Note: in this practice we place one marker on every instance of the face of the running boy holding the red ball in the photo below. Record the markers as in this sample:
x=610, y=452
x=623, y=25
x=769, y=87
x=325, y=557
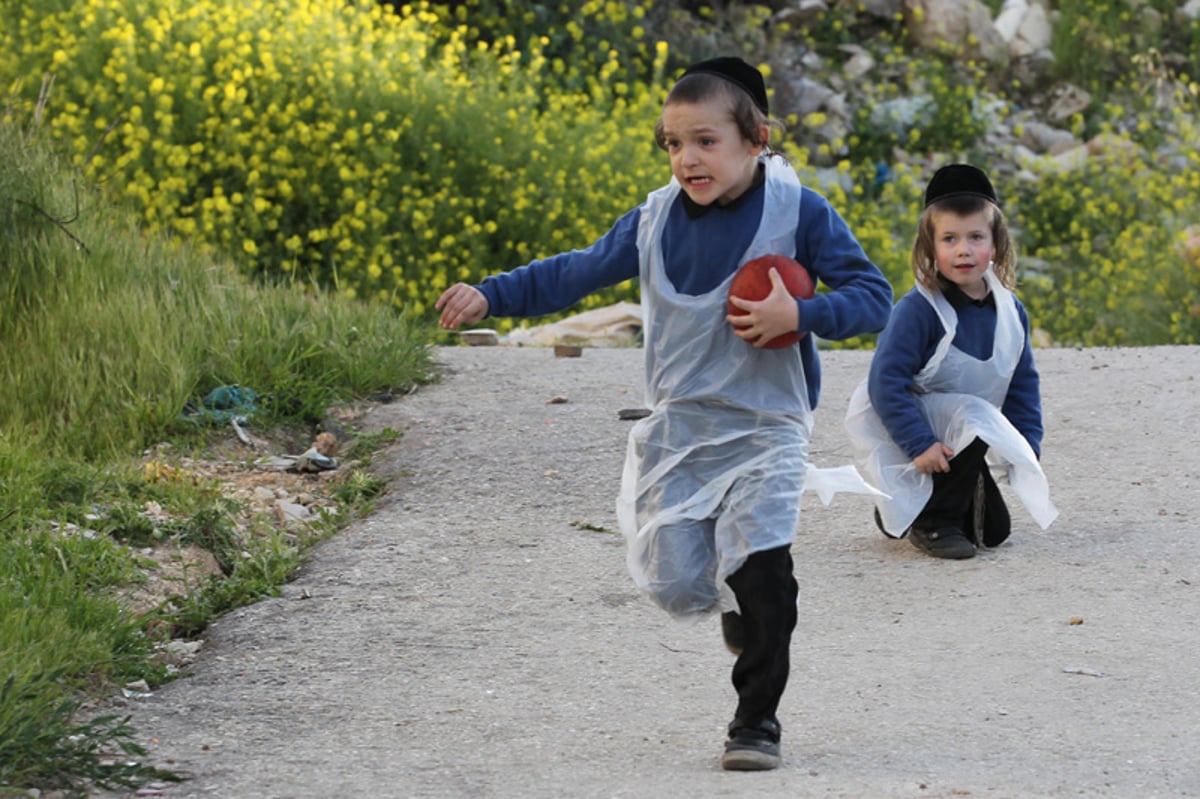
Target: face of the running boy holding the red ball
x=710, y=158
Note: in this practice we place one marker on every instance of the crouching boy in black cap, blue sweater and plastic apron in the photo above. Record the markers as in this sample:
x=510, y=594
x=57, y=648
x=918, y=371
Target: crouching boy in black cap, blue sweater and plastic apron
x=953, y=385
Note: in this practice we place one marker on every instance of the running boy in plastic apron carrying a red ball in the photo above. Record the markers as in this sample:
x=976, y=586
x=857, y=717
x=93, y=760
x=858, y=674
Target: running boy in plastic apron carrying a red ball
x=711, y=495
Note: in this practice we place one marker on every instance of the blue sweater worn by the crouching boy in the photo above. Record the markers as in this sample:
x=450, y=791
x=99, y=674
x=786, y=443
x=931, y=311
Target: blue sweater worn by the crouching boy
x=909, y=343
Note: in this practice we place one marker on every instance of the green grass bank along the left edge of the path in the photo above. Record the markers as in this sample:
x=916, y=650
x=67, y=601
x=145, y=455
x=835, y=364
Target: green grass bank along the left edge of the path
x=107, y=334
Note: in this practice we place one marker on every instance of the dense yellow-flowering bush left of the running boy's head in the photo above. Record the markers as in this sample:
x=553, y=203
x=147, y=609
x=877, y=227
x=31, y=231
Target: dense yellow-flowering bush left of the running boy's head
x=343, y=143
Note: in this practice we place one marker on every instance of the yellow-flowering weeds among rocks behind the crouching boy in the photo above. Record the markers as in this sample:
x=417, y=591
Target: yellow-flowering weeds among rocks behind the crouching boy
x=1106, y=249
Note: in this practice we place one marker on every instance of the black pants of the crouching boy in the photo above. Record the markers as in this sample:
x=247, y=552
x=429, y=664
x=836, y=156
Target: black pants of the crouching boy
x=953, y=502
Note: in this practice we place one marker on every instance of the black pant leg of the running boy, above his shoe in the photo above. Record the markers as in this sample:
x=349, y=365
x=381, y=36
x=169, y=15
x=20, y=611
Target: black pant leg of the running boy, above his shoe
x=766, y=591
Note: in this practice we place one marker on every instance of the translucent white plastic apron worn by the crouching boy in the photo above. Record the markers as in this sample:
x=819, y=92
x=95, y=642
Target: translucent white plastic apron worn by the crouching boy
x=961, y=399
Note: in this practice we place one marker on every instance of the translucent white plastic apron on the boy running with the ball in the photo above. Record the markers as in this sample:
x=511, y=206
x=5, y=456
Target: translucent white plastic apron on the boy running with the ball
x=716, y=472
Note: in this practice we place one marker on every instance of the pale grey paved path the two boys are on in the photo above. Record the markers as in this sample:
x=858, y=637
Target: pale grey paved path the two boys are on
x=478, y=636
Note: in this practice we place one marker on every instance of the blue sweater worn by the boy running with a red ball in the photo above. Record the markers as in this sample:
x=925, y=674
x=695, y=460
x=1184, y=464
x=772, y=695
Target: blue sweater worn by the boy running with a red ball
x=701, y=248
